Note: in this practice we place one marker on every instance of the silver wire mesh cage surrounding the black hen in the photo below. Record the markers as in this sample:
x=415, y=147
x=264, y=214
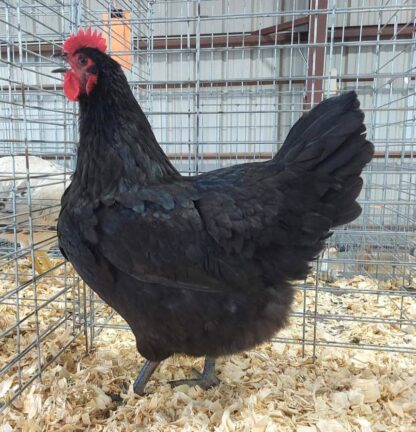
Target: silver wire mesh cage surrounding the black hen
x=221, y=82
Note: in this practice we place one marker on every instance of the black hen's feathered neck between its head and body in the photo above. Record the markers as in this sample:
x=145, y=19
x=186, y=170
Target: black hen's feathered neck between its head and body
x=117, y=149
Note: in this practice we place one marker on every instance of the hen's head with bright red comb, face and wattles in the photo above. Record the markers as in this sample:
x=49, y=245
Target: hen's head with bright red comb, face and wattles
x=82, y=74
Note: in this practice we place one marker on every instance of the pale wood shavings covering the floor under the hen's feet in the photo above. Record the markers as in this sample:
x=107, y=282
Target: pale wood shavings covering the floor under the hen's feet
x=272, y=388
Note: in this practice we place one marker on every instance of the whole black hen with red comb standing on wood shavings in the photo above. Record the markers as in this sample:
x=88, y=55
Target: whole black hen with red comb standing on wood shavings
x=198, y=265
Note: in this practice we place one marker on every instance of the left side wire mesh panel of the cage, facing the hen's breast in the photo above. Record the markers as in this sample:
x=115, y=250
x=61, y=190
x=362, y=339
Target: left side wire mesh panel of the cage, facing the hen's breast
x=41, y=307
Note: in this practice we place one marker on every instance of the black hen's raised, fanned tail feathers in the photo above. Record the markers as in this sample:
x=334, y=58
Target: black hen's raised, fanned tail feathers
x=330, y=140
